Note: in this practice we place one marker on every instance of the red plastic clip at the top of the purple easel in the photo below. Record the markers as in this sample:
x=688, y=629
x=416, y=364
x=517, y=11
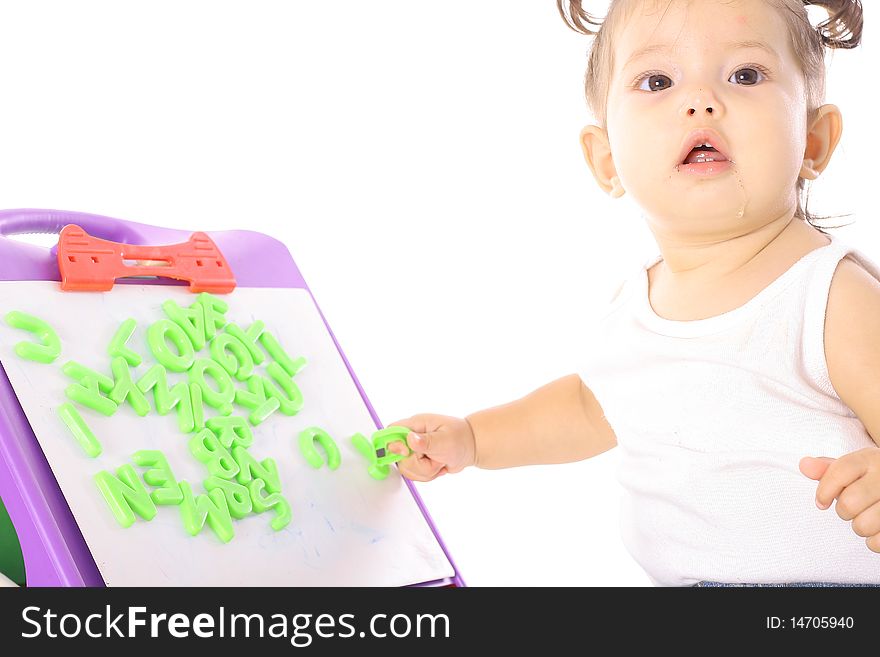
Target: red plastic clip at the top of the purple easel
x=90, y=263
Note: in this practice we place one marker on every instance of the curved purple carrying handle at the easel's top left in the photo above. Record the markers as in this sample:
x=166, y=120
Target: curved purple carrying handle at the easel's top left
x=13, y=222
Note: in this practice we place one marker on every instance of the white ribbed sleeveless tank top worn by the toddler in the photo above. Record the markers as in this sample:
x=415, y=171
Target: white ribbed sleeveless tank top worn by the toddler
x=712, y=417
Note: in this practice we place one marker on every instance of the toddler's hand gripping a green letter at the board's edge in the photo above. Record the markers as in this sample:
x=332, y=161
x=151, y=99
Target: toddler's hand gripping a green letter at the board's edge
x=441, y=444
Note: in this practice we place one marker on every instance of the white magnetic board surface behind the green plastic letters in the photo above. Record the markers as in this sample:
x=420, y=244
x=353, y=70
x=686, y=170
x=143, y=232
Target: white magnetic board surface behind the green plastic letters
x=347, y=528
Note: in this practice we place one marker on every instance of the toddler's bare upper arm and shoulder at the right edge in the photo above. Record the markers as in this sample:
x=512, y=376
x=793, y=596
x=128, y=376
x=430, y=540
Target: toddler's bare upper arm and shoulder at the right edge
x=852, y=324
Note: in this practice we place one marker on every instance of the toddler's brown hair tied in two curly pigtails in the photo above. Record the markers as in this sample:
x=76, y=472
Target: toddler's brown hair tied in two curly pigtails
x=842, y=29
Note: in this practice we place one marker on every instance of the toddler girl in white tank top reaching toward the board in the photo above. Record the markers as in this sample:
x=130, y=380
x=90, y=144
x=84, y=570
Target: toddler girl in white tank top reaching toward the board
x=739, y=370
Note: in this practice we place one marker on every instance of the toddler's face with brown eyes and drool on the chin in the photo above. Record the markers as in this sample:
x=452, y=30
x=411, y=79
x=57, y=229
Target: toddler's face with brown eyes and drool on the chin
x=757, y=106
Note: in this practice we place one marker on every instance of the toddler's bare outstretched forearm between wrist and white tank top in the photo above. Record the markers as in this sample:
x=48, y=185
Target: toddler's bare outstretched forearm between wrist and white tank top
x=560, y=422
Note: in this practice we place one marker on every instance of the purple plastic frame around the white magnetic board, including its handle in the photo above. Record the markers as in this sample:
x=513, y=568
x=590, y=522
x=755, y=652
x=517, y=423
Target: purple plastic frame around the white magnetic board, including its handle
x=54, y=551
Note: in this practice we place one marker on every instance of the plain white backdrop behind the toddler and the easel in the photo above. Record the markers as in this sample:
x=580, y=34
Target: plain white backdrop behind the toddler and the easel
x=421, y=162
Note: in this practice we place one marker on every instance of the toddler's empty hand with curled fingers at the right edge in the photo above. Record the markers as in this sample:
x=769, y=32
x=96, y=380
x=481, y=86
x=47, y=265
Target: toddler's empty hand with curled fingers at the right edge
x=854, y=479
